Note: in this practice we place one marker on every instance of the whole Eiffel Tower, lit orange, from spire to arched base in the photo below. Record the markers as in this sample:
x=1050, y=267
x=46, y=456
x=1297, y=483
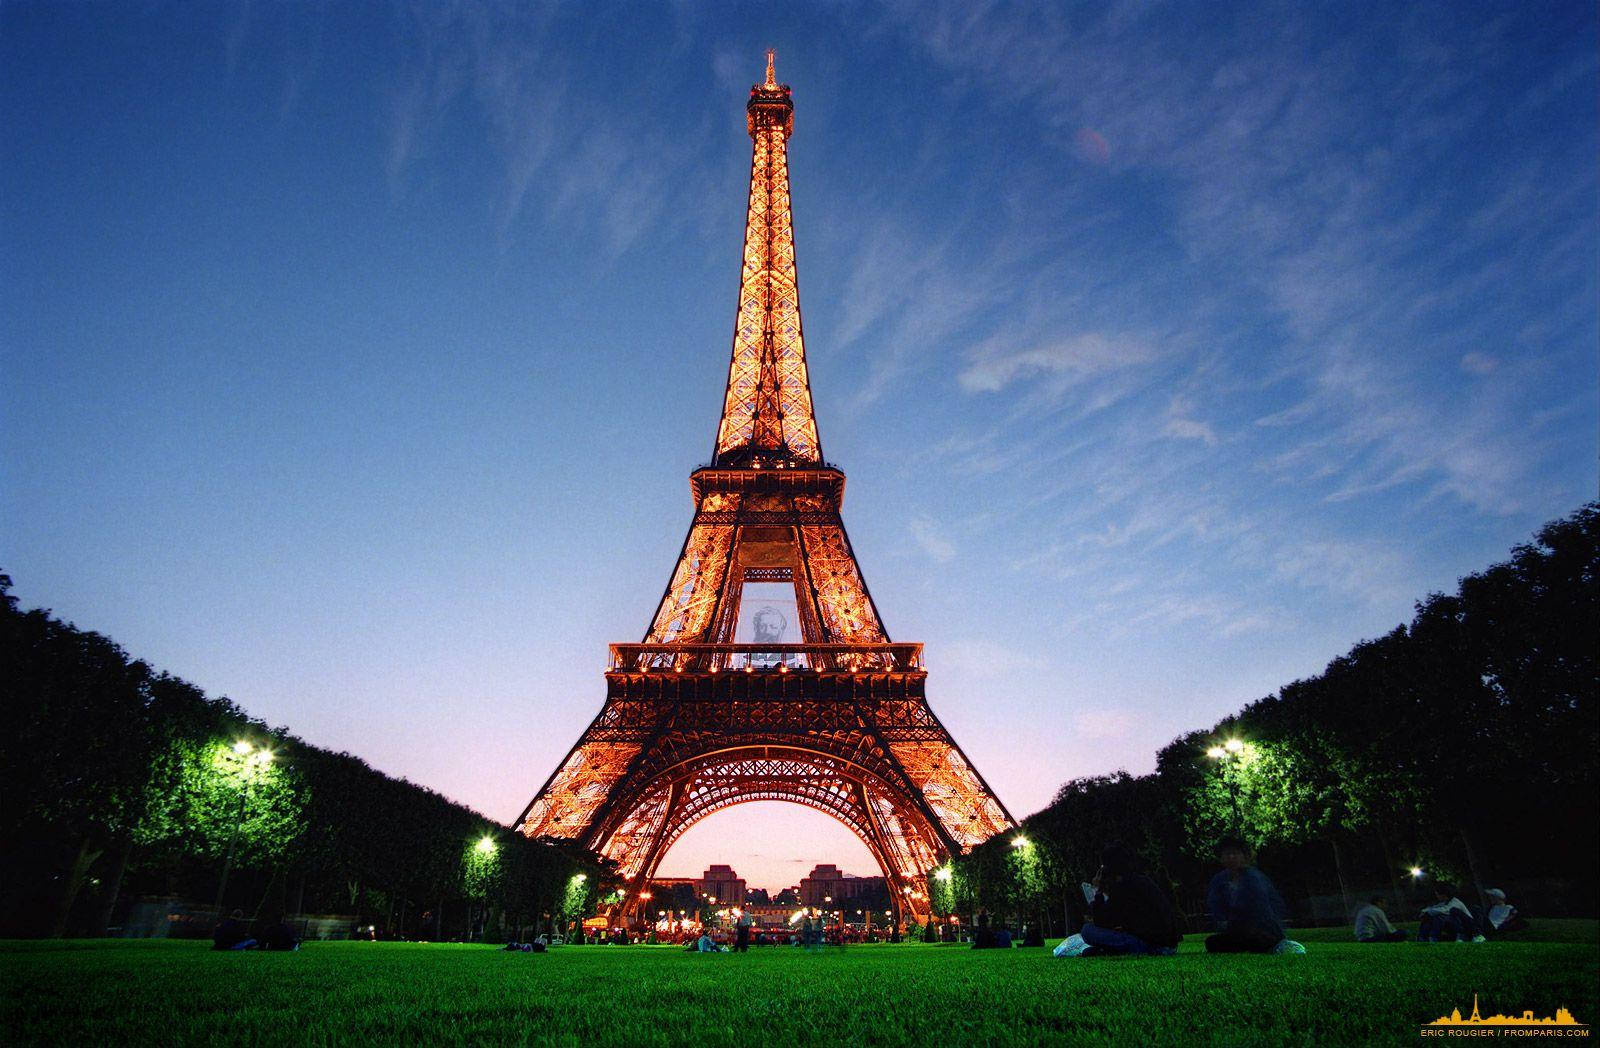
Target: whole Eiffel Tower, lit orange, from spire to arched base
x=839, y=722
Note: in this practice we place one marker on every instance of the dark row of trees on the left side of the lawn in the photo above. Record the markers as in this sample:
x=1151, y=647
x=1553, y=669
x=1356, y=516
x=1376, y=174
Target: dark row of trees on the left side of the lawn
x=121, y=782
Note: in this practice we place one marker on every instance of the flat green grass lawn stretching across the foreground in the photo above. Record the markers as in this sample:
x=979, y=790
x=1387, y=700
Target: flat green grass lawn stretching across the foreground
x=148, y=993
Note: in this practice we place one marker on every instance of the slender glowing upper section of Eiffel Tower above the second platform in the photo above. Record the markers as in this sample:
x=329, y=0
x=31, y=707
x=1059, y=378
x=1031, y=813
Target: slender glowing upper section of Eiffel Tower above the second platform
x=767, y=420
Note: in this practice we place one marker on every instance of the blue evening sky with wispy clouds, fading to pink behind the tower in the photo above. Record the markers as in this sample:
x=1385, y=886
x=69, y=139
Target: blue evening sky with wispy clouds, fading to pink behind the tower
x=356, y=356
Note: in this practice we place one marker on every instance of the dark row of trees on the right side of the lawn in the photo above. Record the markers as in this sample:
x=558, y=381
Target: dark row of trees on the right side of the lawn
x=1458, y=748
